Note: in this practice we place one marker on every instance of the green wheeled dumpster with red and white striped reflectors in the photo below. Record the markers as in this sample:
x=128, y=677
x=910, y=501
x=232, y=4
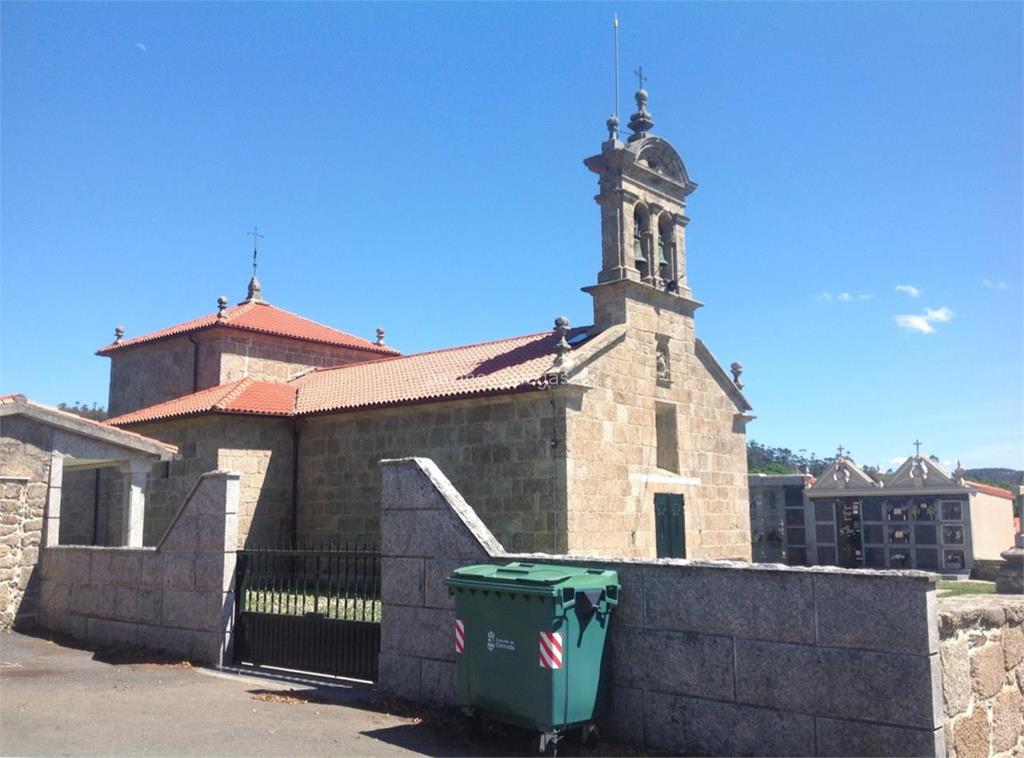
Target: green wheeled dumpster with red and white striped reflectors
x=530, y=643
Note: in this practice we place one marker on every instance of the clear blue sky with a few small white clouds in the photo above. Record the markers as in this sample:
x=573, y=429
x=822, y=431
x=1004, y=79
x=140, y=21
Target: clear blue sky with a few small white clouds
x=419, y=167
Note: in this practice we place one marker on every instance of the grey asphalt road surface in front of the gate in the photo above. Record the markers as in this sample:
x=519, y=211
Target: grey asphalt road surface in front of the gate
x=62, y=701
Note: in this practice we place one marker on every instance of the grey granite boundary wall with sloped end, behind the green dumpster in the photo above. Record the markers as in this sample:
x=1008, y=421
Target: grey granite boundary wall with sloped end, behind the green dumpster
x=715, y=658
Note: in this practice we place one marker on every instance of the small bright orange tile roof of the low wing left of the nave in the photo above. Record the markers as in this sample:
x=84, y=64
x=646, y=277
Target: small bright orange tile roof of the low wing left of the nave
x=245, y=396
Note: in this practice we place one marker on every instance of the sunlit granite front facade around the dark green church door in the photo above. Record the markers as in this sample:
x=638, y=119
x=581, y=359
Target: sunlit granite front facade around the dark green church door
x=616, y=462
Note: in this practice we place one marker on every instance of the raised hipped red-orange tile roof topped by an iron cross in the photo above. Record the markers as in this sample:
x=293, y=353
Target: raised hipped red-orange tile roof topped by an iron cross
x=259, y=317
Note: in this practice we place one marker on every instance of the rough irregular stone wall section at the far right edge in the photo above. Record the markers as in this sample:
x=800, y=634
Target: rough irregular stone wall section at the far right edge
x=983, y=651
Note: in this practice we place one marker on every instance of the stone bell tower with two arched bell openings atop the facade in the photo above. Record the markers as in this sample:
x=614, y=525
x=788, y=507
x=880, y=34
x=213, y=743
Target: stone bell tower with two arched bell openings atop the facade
x=644, y=190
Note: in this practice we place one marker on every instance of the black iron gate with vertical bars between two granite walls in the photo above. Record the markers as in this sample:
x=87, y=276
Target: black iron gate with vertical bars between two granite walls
x=310, y=610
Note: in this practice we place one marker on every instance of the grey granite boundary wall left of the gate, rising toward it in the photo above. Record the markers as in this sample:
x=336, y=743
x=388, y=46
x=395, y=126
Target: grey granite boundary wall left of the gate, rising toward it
x=177, y=599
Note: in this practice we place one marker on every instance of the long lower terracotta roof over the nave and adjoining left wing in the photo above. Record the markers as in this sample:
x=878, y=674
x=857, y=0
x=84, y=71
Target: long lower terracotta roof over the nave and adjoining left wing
x=502, y=366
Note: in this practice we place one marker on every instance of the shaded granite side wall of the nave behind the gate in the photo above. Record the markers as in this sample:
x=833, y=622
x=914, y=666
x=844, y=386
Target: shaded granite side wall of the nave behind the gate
x=499, y=452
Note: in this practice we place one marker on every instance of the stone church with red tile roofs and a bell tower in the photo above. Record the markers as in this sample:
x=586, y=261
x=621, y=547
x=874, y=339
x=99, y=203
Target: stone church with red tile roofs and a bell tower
x=625, y=438
